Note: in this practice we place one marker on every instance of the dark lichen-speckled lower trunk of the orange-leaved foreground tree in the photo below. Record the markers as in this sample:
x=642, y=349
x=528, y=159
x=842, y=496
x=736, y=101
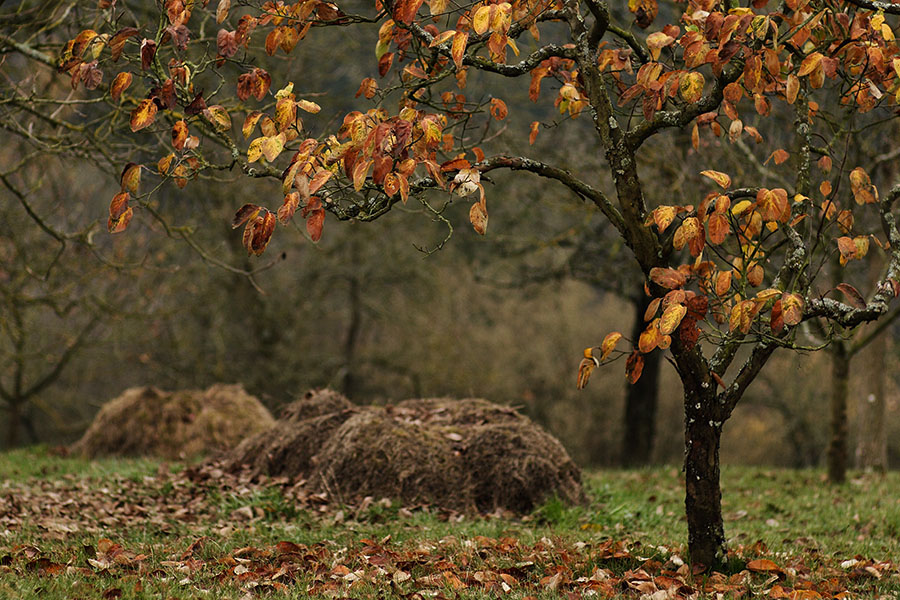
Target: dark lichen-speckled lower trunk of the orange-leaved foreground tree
x=703, y=497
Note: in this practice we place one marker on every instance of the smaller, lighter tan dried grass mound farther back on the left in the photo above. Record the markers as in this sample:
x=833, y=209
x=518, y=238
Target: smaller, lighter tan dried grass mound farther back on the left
x=145, y=421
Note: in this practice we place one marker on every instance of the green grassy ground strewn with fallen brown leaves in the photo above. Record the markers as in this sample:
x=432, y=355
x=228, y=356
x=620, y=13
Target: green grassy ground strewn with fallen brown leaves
x=141, y=529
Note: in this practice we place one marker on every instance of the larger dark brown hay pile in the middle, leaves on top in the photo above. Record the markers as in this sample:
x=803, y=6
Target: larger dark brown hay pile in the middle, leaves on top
x=459, y=454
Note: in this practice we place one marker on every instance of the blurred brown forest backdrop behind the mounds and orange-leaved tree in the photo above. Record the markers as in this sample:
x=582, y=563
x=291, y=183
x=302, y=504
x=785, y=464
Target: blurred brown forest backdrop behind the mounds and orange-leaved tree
x=382, y=311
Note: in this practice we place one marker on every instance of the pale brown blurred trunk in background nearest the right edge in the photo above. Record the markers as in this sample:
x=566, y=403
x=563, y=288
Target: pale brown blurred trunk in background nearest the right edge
x=871, y=449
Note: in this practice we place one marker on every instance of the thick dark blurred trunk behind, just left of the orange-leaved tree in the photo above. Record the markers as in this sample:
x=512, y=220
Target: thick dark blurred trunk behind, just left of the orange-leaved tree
x=641, y=400
